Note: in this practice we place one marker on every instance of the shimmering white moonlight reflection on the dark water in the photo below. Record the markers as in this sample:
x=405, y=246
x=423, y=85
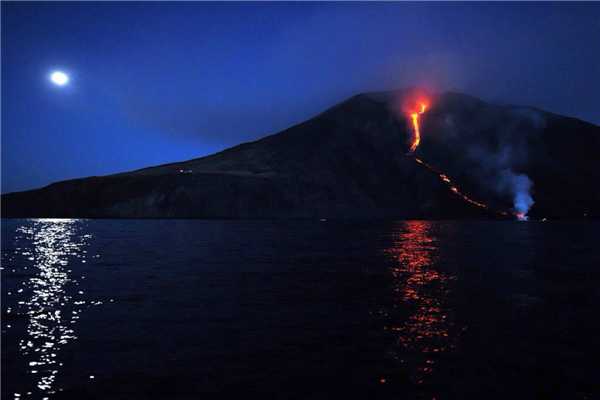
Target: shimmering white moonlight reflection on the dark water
x=48, y=296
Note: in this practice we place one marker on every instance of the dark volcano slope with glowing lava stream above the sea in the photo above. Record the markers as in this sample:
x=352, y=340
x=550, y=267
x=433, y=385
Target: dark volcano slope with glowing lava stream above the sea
x=358, y=159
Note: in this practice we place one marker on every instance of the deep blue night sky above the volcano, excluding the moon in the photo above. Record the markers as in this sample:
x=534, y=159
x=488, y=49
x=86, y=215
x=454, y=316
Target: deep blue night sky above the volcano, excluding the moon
x=160, y=82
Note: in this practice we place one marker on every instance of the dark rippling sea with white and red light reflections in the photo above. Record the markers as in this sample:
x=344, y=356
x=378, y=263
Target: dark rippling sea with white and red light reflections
x=150, y=309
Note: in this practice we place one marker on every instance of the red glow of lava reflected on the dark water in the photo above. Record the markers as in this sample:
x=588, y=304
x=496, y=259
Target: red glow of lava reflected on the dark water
x=421, y=291
